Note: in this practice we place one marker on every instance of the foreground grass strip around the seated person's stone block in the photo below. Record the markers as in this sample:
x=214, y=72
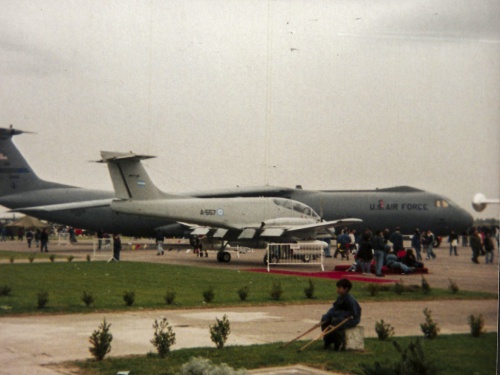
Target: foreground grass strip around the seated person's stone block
x=449, y=354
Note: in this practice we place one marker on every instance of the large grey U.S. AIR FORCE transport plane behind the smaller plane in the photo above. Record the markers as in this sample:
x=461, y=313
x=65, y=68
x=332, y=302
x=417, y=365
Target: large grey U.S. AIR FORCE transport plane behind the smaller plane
x=21, y=190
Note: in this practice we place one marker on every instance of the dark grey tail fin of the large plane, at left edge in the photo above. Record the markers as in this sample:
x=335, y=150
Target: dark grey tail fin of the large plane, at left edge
x=16, y=175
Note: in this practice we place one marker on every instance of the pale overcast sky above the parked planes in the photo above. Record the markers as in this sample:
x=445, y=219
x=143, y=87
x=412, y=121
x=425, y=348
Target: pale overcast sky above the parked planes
x=326, y=94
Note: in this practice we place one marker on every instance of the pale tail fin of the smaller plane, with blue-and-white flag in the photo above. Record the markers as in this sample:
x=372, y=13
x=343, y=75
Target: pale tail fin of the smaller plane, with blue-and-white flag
x=130, y=179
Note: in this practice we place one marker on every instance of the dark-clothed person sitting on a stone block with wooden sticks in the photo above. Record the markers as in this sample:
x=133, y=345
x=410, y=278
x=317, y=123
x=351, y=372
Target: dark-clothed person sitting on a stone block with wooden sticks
x=344, y=307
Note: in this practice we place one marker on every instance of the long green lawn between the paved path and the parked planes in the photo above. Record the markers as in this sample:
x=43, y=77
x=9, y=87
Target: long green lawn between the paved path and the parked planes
x=65, y=283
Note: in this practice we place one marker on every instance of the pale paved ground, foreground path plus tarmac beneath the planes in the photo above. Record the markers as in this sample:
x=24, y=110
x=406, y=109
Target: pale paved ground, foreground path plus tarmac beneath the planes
x=27, y=347
